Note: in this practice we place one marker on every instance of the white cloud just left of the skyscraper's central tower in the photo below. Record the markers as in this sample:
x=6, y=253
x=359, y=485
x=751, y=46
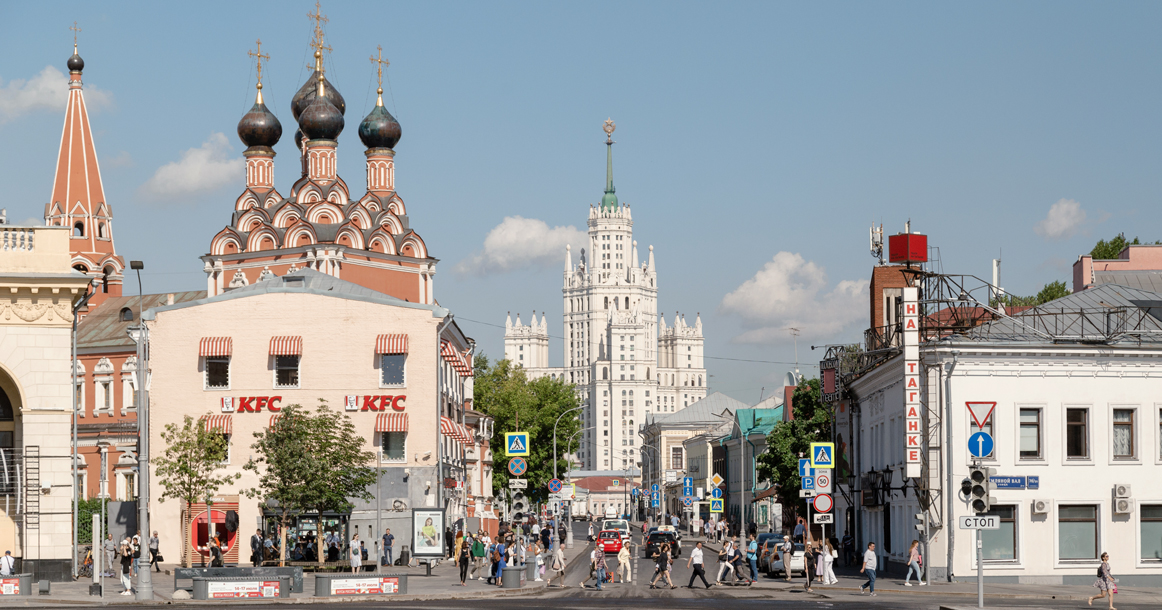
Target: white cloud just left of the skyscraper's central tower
x=519, y=242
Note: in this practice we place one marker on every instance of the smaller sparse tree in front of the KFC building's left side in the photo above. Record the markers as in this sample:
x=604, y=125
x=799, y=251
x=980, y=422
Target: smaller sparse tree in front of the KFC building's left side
x=189, y=471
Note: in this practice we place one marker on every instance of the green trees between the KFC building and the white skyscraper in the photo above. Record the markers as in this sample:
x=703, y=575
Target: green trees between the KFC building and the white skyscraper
x=505, y=393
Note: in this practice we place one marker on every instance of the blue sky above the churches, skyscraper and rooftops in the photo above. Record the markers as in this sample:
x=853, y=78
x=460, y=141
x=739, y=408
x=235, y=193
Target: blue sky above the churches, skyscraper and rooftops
x=757, y=142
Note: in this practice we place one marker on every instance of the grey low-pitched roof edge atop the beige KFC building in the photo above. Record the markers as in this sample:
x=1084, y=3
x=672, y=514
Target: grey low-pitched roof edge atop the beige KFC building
x=306, y=282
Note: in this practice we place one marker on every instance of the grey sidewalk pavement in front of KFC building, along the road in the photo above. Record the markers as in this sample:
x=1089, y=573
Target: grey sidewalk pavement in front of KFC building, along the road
x=444, y=584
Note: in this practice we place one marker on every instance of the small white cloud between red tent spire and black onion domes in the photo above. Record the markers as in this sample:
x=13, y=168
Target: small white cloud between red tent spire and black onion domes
x=207, y=168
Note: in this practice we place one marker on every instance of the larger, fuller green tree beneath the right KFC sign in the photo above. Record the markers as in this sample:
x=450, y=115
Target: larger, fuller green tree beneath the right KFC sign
x=311, y=463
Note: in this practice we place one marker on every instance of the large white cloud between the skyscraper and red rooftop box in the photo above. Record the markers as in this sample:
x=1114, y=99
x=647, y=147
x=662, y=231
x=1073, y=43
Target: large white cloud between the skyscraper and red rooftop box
x=790, y=292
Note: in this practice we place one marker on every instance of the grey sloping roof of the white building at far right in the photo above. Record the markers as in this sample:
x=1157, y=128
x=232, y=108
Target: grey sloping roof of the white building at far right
x=1106, y=314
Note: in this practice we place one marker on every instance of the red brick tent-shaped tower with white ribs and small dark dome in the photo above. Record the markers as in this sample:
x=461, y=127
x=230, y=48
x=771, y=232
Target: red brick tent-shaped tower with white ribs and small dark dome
x=78, y=196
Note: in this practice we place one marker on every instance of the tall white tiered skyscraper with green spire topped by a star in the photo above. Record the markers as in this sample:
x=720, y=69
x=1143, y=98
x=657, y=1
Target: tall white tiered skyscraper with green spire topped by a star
x=623, y=357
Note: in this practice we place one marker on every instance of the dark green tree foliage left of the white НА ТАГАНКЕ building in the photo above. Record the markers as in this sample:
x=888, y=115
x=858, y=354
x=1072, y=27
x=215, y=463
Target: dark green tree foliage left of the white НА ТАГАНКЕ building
x=792, y=441
